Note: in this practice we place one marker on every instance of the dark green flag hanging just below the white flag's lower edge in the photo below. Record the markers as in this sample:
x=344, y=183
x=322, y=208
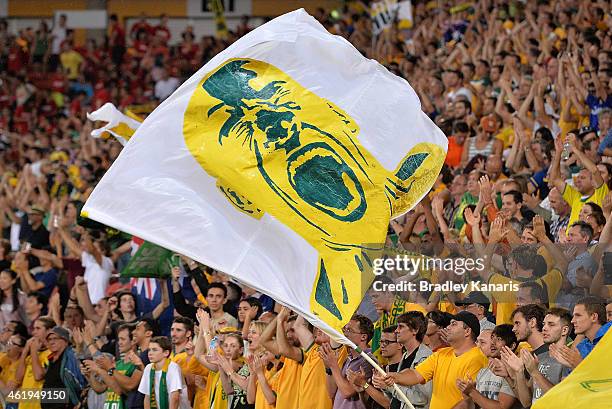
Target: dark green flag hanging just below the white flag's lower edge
x=151, y=261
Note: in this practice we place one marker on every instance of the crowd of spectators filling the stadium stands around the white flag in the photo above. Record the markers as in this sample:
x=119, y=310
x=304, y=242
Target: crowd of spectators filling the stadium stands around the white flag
x=523, y=91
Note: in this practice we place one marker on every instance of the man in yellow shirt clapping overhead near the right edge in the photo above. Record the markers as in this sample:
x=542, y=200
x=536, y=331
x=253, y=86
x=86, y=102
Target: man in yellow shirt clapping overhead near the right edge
x=590, y=186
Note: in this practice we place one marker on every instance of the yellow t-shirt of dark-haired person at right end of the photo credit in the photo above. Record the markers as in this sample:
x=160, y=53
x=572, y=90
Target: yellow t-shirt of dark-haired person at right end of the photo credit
x=506, y=300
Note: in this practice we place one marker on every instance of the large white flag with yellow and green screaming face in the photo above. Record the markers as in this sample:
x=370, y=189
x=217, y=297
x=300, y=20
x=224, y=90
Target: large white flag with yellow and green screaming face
x=280, y=163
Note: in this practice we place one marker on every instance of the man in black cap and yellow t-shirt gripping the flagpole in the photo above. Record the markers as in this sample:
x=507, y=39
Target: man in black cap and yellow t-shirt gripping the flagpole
x=461, y=360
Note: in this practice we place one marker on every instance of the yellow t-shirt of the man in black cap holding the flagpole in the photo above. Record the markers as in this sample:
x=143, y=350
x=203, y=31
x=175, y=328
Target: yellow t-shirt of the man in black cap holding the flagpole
x=444, y=368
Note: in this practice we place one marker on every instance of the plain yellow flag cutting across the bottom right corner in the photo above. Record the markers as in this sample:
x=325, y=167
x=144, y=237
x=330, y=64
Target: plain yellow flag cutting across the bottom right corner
x=589, y=386
